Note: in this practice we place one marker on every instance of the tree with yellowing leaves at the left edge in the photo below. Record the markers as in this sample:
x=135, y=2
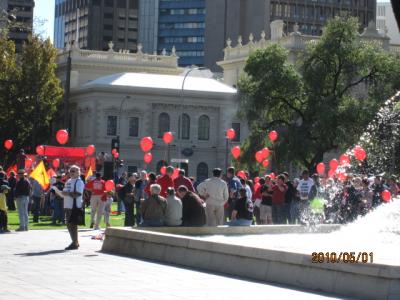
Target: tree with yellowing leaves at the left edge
x=29, y=92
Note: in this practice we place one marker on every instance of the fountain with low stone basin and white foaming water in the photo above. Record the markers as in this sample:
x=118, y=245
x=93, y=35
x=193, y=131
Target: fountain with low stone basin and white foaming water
x=283, y=254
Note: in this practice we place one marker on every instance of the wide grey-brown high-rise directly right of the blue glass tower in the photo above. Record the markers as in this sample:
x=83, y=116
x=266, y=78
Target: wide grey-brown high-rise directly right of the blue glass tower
x=233, y=18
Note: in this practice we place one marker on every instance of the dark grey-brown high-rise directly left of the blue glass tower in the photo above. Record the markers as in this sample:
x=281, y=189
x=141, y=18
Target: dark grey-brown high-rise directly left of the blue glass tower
x=94, y=23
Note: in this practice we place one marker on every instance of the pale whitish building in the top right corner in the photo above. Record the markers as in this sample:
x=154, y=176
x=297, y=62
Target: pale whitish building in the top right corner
x=386, y=21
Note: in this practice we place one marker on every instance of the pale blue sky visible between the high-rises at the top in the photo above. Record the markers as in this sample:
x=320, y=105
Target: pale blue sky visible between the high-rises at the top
x=44, y=10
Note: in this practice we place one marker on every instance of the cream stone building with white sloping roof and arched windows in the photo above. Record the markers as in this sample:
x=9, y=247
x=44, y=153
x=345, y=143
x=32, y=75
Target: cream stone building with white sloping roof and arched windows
x=133, y=95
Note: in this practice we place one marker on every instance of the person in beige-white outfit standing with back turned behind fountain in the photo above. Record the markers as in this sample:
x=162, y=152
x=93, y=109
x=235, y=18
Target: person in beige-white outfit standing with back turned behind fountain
x=215, y=192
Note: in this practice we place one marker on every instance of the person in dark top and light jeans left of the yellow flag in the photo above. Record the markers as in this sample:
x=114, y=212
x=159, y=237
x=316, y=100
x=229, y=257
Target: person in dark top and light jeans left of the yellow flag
x=22, y=193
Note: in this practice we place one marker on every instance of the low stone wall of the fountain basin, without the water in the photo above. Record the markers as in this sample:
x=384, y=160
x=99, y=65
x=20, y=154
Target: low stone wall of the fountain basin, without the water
x=180, y=246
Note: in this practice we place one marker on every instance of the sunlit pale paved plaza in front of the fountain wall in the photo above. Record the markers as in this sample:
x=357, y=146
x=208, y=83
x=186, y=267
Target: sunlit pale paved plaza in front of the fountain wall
x=33, y=265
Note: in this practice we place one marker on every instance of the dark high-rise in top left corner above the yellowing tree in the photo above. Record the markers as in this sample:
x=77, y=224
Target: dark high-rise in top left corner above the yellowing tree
x=22, y=10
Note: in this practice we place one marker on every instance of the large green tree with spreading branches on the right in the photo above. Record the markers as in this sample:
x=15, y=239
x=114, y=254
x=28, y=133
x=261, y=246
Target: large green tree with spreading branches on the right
x=343, y=82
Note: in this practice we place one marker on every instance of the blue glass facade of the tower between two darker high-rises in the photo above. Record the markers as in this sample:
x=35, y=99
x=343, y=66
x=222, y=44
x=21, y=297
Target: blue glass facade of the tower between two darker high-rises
x=181, y=24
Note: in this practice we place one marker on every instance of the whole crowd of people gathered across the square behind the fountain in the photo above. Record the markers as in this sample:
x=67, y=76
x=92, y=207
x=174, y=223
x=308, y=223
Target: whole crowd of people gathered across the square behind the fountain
x=165, y=200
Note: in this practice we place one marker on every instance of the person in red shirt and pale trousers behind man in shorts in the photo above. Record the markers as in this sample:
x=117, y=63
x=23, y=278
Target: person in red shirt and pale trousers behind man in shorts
x=97, y=205
